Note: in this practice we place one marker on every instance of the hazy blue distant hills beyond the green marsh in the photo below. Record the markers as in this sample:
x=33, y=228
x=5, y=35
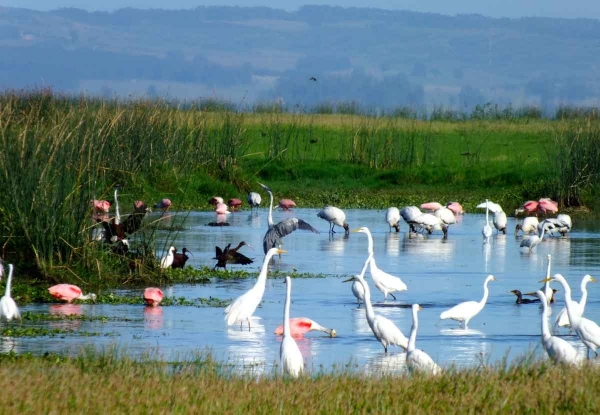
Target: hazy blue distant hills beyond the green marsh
x=378, y=58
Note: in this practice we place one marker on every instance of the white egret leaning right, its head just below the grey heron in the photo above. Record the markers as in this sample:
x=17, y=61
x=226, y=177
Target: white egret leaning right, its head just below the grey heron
x=244, y=306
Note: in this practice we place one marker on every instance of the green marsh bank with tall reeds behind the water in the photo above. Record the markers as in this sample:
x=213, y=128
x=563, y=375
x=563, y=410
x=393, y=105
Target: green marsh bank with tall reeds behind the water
x=59, y=153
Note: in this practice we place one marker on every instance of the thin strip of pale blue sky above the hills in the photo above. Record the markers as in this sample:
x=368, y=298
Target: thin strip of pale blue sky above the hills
x=494, y=8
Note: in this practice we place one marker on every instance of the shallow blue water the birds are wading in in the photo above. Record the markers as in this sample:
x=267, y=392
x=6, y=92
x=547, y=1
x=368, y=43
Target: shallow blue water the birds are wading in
x=439, y=274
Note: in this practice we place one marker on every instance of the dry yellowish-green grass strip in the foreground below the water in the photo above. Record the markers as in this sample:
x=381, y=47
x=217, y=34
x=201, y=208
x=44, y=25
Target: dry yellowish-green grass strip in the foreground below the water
x=108, y=383
